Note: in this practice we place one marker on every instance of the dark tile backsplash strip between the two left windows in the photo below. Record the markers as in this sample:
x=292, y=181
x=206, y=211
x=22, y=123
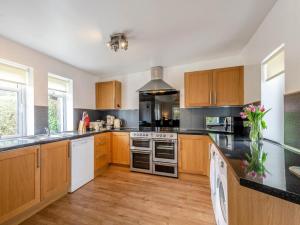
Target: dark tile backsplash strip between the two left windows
x=40, y=119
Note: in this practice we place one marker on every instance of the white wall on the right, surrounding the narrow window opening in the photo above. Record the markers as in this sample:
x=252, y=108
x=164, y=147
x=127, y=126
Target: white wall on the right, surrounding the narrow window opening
x=281, y=25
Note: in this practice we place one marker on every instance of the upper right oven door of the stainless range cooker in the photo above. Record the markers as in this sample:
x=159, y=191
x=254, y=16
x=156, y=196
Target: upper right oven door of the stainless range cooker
x=165, y=151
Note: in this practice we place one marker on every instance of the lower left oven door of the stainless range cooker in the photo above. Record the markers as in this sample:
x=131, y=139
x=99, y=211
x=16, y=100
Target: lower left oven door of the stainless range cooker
x=141, y=161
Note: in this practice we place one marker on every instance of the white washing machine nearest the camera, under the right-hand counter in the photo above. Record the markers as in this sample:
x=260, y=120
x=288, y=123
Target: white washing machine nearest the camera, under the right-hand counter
x=221, y=193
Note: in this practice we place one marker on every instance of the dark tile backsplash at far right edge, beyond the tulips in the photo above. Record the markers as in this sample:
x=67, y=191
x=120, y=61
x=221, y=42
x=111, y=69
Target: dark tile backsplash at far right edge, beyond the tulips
x=292, y=120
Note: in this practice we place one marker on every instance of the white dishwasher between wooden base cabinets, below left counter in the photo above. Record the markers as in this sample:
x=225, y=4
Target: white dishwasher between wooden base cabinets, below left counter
x=82, y=162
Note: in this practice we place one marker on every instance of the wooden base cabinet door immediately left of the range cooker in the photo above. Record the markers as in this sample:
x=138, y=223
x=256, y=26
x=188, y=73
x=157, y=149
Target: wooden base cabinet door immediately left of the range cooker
x=120, y=148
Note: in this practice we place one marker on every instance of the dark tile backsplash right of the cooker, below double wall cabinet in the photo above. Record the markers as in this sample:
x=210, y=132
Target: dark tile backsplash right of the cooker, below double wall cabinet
x=195, y=118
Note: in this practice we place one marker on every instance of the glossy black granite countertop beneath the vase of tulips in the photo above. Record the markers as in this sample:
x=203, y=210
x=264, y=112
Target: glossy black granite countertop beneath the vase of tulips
x=278, y=181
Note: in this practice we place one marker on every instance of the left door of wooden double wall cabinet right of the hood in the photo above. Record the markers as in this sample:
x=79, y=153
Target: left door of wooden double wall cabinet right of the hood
x=198, y=88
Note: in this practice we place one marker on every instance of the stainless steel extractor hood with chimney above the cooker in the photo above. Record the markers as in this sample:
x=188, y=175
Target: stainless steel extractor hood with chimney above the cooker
x=156, y=85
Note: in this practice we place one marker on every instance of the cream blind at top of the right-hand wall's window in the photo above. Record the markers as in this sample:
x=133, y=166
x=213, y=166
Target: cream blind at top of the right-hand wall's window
x=274, y=64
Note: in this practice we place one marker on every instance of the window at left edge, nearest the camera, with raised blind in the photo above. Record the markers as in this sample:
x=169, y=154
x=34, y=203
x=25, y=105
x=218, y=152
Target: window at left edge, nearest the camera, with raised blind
x=13, y=95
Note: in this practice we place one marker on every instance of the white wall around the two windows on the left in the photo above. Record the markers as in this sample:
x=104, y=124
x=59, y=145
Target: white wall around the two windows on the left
x=83, y=82
